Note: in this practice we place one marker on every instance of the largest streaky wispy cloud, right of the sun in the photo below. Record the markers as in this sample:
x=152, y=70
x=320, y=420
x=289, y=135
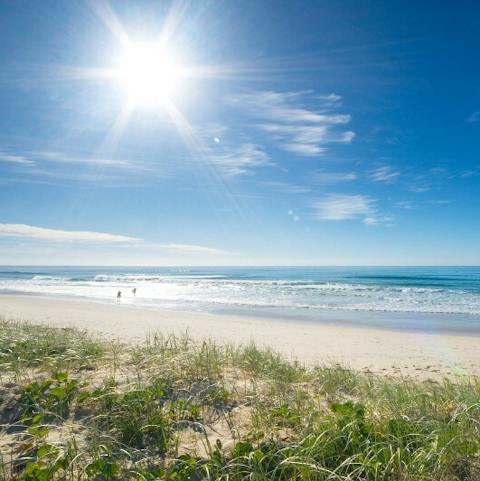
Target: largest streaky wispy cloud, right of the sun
x=291, y=125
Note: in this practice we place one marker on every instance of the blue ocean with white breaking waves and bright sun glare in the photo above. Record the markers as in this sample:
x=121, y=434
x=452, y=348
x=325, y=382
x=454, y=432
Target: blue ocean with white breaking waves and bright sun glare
x=438, y=298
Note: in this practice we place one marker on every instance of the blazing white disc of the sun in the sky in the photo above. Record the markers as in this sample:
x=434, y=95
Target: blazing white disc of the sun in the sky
x=148, y=73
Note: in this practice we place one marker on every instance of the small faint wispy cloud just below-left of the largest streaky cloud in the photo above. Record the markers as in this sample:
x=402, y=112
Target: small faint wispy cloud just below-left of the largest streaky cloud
x=238, y=160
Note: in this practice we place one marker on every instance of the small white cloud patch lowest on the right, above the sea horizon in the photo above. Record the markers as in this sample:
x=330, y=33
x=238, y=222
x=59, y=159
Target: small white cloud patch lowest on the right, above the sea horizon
x=345, y=207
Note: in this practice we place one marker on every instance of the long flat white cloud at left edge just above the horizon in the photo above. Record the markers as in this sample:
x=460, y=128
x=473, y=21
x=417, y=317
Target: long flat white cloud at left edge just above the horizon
x=42, y=233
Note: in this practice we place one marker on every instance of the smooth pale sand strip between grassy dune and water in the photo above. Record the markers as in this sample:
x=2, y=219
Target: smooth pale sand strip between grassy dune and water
x=417, y=354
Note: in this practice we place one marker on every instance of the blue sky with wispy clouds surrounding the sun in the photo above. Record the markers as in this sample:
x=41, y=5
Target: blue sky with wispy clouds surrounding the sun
x=318, y=133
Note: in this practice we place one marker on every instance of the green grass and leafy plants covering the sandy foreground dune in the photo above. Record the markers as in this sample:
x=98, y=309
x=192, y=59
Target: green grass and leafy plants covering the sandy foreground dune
x=76, y=408
